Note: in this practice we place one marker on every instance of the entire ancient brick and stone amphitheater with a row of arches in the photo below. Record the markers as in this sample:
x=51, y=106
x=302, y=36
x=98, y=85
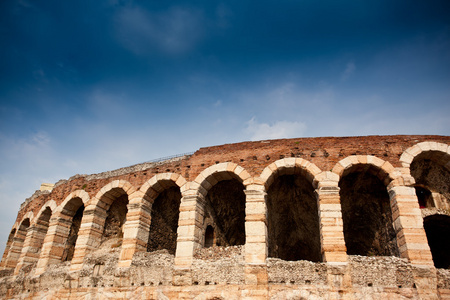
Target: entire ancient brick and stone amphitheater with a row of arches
x=304, y=218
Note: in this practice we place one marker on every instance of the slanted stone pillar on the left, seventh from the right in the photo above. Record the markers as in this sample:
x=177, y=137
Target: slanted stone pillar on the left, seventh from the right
x=54, y=242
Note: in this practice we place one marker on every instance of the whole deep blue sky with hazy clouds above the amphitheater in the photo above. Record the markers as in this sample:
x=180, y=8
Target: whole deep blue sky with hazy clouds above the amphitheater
x=90, y=86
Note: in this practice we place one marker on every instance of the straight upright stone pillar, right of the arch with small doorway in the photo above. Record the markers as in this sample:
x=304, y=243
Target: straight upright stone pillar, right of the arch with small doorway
x=256, y=244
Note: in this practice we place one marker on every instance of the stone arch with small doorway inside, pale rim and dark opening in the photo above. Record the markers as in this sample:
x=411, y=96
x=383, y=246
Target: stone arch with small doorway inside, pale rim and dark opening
x=220, y=189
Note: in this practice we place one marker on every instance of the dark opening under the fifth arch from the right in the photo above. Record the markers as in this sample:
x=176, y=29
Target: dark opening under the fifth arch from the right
x=164, y=220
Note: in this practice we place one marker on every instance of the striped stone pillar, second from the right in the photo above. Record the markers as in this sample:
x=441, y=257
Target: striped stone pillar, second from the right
x=331, y=225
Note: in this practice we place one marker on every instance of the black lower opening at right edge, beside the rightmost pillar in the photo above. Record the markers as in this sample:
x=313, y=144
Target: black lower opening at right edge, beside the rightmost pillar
x=437, y=228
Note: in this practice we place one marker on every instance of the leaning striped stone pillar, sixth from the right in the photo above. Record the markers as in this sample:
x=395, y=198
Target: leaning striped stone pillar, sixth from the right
x=89, y=235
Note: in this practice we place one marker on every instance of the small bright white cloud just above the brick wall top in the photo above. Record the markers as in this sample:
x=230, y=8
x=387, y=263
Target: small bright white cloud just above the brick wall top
x=276, y=130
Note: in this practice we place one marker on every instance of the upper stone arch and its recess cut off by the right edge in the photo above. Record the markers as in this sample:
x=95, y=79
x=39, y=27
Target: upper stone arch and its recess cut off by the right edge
x=429, y=164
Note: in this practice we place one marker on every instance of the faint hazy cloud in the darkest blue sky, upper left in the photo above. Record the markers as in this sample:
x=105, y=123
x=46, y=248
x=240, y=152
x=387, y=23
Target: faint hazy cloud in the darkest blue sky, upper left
x=173, y=31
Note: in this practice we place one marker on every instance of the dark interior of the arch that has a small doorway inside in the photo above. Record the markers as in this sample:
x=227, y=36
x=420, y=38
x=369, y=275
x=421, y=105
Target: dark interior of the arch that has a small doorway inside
x=225, y=207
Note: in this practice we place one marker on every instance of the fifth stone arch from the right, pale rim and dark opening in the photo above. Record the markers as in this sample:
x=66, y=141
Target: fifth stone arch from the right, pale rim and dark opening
x=163, y=193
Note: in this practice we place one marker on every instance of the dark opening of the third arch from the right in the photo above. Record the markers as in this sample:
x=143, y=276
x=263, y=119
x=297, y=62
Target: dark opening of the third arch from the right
x=293, y=221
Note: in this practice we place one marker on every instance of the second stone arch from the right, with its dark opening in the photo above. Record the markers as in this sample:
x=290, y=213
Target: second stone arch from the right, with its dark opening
x=366, y=208
